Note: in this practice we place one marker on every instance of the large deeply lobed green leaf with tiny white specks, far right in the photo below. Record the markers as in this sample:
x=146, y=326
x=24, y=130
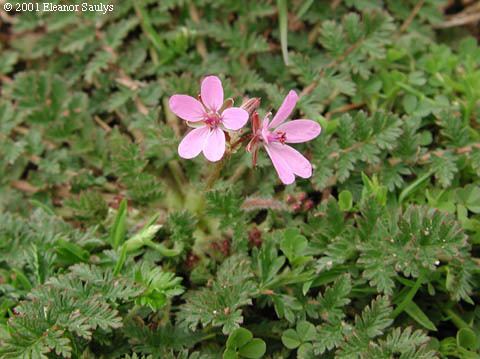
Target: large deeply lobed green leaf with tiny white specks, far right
x=412, y=243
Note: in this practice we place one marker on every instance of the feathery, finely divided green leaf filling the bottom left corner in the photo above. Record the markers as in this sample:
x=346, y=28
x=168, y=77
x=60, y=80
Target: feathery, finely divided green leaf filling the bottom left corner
x=66, y=309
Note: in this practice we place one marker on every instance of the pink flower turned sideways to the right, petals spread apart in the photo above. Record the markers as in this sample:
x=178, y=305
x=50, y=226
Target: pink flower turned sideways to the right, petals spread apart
x=274, y=135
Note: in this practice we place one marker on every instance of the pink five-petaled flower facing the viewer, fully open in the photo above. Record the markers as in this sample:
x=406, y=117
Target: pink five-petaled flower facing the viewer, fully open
x=208, y=136
